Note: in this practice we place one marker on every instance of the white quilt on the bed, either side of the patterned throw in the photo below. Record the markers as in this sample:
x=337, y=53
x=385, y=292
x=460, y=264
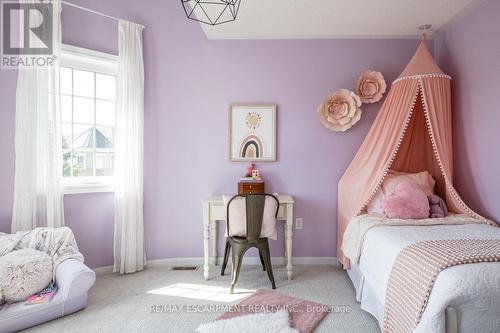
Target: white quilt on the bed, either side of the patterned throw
x=473, y=290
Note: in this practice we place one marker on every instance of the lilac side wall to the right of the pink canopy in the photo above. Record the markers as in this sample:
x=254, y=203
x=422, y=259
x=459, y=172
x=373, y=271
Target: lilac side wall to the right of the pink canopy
x=469, y=51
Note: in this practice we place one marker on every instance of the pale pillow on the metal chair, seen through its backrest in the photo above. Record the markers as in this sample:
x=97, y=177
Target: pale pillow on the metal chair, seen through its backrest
x=238, y=217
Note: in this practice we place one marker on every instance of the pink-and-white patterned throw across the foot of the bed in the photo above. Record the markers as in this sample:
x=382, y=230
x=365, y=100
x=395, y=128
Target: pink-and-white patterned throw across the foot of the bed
x=415, y=270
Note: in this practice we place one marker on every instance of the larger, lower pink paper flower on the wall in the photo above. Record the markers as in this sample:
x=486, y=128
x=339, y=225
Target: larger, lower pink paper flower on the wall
x=340, y=111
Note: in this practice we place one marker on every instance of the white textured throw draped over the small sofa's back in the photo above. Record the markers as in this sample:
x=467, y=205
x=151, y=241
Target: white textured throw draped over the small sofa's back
x=59, y=243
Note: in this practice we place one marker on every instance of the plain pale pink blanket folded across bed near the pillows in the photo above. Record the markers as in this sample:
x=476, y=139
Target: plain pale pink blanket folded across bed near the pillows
x=356, y=230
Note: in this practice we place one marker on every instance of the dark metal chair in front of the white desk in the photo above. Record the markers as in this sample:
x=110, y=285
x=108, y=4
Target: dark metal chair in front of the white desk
x=239, y=245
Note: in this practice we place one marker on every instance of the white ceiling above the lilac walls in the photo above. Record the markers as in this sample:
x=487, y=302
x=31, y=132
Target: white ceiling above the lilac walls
x=337, y=18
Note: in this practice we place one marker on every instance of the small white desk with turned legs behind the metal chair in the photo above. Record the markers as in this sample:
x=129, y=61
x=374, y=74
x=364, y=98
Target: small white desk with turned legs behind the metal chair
x=214, y=210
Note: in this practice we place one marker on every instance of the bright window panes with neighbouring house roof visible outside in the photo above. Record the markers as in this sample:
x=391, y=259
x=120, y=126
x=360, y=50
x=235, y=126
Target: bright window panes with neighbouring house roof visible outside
x=88, y=122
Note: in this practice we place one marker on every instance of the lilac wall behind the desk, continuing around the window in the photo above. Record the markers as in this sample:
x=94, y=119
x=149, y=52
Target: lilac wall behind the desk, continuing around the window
x=190, y=81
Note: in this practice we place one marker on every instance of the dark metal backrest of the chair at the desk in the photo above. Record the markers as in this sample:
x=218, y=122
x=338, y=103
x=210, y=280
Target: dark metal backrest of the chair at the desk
x=255, y=204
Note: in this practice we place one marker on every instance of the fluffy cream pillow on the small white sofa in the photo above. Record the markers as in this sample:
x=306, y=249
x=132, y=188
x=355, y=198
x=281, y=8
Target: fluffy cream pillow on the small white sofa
x=24, y=273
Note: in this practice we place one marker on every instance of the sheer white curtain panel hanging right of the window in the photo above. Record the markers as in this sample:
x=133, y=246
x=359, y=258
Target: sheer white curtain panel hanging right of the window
x=129, y=251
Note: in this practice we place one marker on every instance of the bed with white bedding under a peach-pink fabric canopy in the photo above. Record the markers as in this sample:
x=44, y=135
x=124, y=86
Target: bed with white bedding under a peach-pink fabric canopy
x=411, y=134
